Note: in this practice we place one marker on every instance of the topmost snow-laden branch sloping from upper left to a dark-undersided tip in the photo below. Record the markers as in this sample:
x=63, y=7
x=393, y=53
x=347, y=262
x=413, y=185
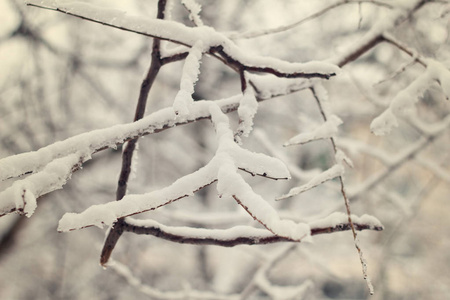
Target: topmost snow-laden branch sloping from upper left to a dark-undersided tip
x=178, y=33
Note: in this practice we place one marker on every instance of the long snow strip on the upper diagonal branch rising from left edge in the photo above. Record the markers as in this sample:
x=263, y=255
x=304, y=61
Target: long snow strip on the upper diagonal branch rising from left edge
x=100, y=139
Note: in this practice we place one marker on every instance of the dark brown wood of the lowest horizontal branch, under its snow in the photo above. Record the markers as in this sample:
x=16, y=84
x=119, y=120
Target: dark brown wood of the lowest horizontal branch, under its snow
x=242, y=240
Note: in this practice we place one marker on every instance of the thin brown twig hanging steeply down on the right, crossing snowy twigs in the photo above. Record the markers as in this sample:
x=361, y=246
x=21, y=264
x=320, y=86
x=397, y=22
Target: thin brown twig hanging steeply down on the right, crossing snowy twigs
x=346, y=201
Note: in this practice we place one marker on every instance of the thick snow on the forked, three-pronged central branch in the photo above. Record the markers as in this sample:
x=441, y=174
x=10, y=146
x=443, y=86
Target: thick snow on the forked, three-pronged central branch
x=222, y=168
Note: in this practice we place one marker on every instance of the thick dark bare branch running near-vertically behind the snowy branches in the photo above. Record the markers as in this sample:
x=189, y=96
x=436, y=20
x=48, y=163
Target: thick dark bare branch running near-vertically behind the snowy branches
x=127, y=155
